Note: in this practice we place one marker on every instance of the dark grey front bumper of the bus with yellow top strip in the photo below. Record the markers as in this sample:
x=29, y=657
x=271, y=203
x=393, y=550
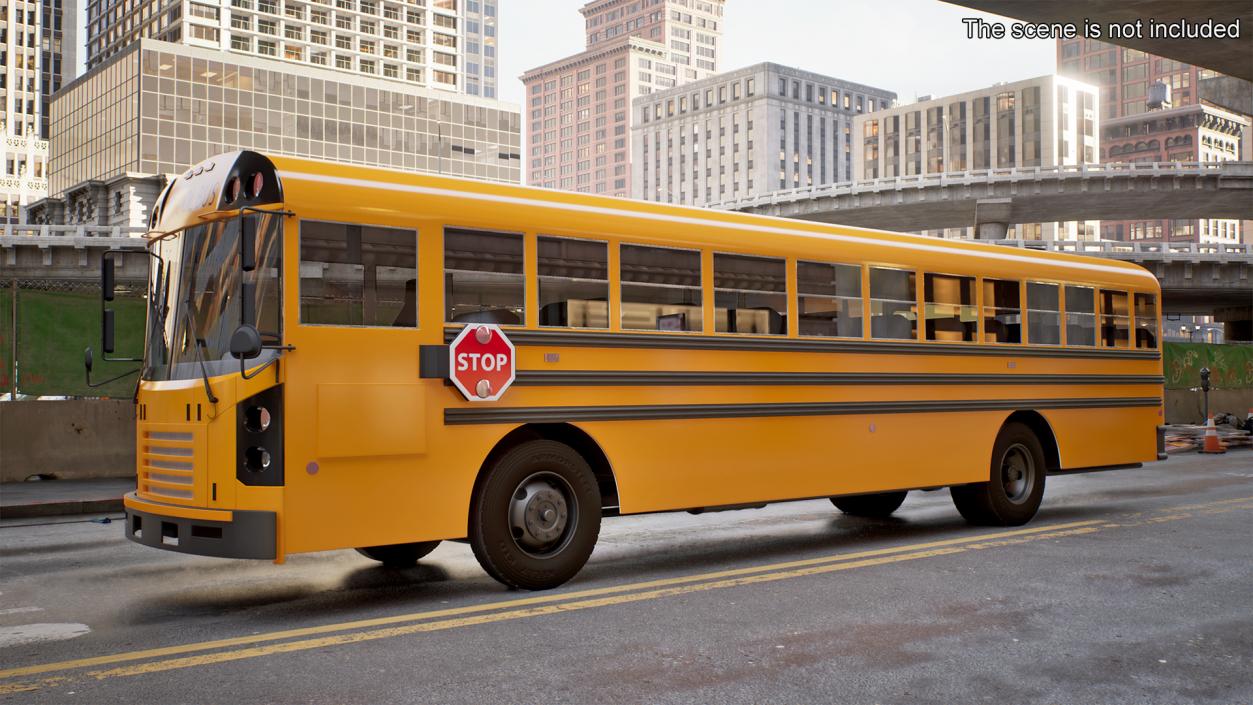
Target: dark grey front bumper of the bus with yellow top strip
x=204, y=533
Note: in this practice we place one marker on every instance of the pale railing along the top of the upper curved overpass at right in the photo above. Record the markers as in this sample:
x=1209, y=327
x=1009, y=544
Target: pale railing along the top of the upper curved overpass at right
x=1130, y=170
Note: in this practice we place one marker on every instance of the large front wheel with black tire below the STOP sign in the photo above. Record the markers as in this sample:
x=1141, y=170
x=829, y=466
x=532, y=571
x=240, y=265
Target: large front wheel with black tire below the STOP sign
x=536, y=517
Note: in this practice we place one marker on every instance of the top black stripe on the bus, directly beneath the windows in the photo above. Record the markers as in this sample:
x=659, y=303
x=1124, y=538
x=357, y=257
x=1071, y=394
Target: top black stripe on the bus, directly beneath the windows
x=566, y=339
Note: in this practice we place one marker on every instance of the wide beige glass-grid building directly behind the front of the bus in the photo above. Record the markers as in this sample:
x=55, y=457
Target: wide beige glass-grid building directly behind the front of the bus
x=159, y=108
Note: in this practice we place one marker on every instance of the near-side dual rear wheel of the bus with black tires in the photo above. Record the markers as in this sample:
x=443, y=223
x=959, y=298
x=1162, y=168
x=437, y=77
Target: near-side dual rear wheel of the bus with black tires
x=1016, y=486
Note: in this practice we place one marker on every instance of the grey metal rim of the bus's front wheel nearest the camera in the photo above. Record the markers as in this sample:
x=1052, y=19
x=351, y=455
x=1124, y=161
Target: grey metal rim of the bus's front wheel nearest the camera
x=543, y=514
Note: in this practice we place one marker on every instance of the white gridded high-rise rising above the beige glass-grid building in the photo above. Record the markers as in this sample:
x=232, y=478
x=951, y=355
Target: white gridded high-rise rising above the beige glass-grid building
x=413, y=43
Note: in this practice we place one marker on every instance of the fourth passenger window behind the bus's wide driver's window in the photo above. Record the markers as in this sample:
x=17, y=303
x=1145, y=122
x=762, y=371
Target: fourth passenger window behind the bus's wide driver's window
x=750, y=295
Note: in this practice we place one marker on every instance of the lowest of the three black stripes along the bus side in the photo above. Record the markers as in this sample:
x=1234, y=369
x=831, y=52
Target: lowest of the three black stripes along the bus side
x=556, y=414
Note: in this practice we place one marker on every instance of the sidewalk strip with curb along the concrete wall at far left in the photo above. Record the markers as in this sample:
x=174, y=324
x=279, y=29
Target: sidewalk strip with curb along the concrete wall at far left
x=60, y=498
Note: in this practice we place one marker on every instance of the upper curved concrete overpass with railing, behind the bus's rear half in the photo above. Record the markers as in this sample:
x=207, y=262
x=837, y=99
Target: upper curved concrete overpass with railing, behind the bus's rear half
x=994, y=198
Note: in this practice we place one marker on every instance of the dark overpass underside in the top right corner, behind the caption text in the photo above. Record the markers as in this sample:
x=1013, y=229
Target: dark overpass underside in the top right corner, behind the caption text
x=1226, y=56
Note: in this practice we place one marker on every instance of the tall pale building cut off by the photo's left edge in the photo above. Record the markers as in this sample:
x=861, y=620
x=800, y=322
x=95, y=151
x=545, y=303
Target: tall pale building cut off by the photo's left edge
x=39, y=56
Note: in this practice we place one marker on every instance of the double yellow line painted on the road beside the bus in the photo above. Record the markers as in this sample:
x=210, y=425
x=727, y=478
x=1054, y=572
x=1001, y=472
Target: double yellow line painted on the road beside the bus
x=572, y=602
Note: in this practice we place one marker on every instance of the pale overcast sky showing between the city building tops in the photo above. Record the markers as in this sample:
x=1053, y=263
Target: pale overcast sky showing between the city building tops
x=910, y=47
